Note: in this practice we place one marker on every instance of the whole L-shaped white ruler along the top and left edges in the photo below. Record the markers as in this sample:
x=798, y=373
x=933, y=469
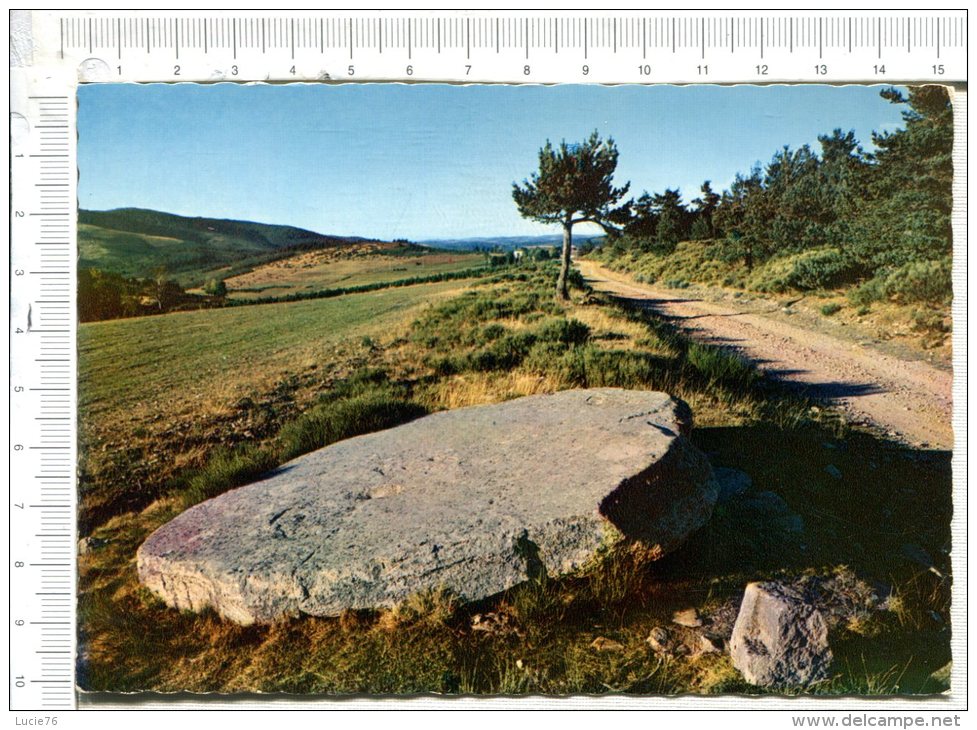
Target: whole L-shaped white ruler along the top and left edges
x=52, y=52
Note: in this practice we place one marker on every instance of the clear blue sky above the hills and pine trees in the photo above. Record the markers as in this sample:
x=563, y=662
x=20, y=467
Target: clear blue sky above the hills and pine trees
x=426, y=160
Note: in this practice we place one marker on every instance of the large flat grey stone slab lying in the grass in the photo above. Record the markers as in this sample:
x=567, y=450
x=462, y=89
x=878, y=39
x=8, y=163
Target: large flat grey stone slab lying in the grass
x=473, y=500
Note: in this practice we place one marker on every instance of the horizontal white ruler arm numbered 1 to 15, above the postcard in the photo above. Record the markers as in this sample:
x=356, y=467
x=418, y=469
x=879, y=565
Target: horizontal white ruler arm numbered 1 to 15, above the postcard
x=678, y=47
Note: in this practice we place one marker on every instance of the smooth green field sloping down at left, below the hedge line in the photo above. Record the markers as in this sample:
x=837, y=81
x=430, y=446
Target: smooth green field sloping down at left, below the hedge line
x=156, y=393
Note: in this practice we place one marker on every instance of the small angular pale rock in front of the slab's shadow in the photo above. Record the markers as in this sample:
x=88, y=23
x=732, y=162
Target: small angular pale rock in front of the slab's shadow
x=780, y=639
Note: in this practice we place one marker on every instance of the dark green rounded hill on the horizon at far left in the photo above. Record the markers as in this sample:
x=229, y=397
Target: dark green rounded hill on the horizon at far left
x=136, y=242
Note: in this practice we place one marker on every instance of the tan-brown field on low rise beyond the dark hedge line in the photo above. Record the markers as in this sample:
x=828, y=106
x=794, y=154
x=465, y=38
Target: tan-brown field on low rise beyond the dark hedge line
x=349, y=266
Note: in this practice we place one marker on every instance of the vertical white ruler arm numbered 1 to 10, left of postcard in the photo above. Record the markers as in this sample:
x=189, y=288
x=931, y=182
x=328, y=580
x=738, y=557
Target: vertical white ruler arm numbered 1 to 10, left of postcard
x=42, y=402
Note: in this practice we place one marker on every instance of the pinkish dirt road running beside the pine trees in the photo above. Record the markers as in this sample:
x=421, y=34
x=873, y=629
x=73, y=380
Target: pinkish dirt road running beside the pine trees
x=907, y=399
